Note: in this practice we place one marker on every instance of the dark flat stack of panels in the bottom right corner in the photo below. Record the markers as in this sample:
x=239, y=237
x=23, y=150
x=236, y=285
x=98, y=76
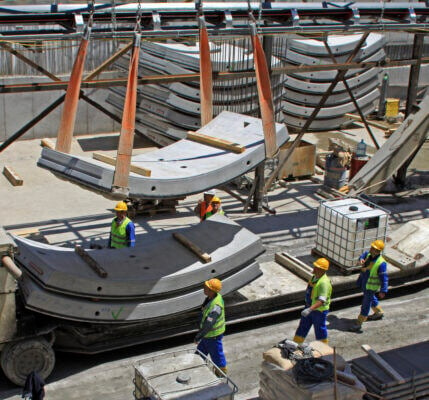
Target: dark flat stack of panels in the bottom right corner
x=402, y=373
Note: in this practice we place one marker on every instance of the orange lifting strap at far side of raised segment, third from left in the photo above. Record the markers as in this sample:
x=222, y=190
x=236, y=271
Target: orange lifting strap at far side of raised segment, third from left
x=206, y=84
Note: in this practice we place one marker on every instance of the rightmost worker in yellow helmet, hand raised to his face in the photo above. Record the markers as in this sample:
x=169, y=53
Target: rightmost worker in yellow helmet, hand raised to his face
x=373, y=281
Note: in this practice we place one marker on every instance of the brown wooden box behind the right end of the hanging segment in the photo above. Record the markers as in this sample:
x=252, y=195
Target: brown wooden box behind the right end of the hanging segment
x=301, y=162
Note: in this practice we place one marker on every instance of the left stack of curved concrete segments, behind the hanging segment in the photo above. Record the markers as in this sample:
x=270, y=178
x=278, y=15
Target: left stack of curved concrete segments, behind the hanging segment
x=165, y=112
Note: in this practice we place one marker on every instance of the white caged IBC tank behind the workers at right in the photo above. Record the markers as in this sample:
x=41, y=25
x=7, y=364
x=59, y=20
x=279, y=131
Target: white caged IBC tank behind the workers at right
x=345, y=228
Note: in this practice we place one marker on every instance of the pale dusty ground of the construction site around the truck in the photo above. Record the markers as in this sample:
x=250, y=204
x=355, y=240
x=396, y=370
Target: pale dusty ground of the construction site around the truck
x=47, y=208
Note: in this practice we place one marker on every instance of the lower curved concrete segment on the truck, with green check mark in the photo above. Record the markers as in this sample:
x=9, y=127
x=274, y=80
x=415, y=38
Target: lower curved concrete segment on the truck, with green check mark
x=82, y=309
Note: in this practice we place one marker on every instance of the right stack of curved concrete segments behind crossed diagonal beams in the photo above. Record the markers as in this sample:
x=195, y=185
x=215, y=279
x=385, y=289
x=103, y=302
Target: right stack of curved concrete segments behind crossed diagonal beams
x=304, y=90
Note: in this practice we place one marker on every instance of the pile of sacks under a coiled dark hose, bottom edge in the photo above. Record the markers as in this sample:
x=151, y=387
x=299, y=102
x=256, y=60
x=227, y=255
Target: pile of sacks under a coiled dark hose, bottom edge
x=277, y=379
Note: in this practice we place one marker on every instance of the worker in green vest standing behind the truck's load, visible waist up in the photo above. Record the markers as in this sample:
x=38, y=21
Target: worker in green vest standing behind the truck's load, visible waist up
x=122, y=231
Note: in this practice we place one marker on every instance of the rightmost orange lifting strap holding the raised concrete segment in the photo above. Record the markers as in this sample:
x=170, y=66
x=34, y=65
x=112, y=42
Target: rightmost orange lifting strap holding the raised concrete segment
x=264, y=94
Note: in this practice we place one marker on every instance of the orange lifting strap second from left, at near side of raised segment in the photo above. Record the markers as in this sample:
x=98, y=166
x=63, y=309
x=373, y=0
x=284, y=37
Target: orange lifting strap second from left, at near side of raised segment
x=126, y=138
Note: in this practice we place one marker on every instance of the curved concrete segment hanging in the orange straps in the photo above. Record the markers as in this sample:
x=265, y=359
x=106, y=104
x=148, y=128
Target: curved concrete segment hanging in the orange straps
x=180, y=169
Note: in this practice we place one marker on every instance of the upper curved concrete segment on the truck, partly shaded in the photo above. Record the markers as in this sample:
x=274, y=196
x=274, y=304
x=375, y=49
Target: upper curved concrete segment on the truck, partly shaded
x=157, y=267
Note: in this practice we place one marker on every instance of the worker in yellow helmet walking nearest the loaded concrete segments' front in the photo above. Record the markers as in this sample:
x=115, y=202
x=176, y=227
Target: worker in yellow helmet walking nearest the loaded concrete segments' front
x=212, y=324
